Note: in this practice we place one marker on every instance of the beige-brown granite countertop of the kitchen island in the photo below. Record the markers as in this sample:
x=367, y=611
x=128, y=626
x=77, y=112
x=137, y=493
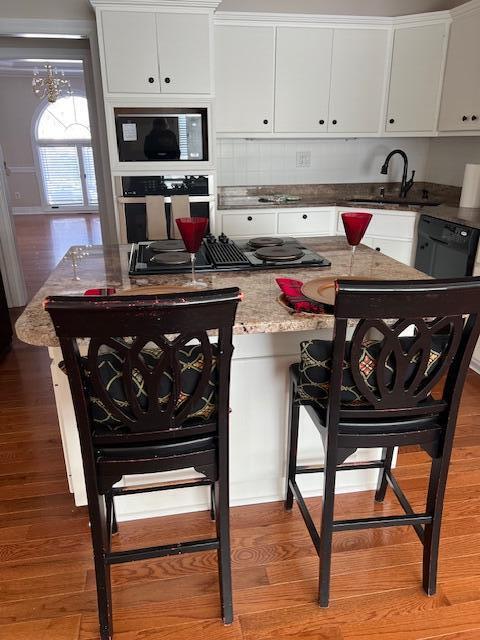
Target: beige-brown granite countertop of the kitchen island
x=259, y=312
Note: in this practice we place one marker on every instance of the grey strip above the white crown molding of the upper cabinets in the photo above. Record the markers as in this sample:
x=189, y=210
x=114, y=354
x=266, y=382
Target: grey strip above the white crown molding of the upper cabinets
x=341, y=7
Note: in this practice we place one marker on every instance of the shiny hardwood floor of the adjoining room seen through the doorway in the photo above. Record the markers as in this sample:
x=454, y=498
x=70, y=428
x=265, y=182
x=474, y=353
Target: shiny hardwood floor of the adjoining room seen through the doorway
x=43, y=240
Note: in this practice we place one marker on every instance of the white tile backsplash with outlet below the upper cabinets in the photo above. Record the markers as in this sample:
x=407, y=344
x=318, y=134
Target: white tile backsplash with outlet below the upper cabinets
x=264, y=162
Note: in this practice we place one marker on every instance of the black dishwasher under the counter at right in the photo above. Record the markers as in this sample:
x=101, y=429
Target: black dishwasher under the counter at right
x=445, y=249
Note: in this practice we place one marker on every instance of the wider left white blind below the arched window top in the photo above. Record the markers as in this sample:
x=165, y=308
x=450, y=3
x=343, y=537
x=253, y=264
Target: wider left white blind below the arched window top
x=61, y=175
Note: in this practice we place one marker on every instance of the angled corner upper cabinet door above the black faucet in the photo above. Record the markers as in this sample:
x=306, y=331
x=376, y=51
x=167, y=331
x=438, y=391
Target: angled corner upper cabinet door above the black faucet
x=415, y=78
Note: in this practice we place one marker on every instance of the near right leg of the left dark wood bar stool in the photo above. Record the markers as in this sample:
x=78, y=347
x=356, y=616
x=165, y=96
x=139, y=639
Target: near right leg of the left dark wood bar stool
x=222, y=512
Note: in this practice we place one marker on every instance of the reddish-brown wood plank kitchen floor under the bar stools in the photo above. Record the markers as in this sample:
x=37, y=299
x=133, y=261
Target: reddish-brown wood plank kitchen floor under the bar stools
x=46, y=574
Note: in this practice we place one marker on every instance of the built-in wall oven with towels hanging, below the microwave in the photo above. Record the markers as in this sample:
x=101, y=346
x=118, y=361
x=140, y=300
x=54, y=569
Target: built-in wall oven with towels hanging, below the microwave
x=147, y=205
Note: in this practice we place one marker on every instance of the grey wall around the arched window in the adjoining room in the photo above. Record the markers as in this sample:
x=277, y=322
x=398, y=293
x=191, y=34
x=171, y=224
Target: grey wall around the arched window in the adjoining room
x=18, y=105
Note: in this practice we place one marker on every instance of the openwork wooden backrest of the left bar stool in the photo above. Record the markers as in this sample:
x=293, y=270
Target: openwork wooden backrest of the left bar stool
x=127, y=326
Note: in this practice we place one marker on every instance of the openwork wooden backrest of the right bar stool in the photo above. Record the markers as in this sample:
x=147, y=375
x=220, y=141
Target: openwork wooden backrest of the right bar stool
x=441, y=315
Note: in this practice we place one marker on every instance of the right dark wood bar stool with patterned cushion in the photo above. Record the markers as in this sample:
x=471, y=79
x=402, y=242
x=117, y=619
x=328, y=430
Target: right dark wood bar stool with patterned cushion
x=363, y=393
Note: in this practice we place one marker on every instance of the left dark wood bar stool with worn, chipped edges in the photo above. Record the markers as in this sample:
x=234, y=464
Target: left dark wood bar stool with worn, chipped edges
x=151, y=395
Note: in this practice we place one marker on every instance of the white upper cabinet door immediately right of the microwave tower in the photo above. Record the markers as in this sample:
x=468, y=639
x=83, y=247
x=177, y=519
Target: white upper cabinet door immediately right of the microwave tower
x=244, y=61
